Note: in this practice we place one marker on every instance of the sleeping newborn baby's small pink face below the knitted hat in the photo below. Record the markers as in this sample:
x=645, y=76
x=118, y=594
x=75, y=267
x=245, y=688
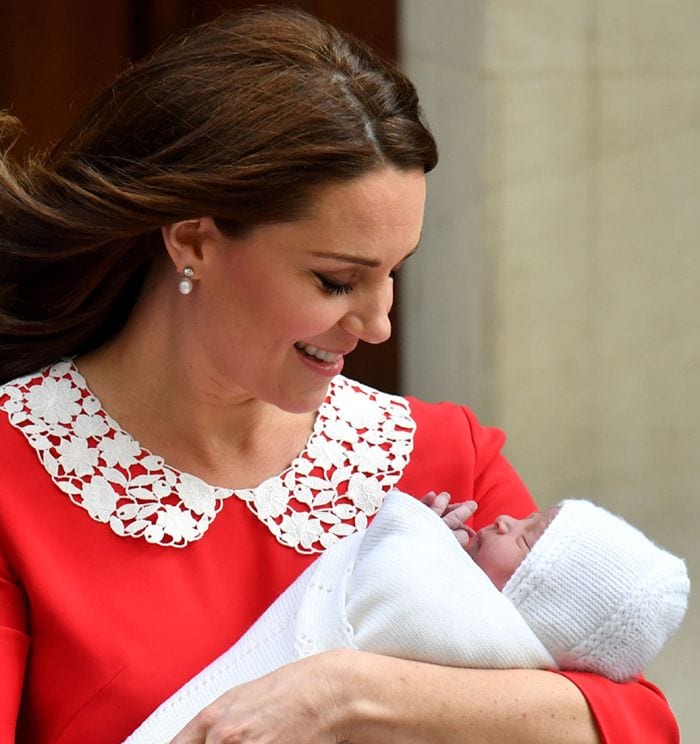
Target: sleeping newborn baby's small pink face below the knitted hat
x=499, y=548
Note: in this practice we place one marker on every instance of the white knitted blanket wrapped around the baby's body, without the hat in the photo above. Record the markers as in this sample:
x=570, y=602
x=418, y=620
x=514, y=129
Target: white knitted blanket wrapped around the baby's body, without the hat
x=404, y=587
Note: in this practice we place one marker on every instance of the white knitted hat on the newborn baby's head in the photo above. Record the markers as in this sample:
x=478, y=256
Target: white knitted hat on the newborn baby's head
x=598, y=593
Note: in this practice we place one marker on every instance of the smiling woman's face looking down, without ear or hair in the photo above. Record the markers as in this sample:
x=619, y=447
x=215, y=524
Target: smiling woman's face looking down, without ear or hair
x=276, y=311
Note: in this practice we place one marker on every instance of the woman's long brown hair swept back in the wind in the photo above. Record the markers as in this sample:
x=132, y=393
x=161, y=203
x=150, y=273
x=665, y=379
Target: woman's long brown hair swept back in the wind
x=240, y=119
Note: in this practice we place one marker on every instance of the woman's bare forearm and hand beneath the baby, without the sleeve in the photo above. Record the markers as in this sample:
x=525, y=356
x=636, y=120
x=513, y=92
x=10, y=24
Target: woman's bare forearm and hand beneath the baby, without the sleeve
x=352, y=696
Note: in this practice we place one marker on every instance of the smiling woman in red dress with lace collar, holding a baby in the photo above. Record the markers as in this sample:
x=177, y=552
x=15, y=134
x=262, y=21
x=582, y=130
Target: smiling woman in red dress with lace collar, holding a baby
x=183, y=275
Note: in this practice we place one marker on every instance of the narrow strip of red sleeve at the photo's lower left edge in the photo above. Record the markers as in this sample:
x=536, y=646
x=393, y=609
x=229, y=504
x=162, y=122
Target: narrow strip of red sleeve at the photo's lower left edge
x=14, y=645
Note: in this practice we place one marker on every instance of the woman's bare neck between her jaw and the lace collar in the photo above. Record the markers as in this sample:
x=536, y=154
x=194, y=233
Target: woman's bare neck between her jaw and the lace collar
x=154, y=386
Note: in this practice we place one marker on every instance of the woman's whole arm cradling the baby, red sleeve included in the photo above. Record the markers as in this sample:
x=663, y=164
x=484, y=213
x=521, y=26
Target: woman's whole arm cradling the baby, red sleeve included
x=356, y=697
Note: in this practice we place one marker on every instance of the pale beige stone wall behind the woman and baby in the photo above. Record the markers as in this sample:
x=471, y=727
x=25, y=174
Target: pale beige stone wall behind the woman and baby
x=560, y=259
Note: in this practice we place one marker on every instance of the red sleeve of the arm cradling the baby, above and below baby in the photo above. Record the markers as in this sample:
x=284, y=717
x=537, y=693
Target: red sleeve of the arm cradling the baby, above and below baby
x=453, y=452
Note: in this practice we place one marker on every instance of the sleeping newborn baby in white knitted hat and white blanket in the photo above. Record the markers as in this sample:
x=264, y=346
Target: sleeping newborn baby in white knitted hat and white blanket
x=573, y=587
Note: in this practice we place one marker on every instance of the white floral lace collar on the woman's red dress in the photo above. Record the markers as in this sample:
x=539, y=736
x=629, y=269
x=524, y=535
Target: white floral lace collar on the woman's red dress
x=358, y=450
